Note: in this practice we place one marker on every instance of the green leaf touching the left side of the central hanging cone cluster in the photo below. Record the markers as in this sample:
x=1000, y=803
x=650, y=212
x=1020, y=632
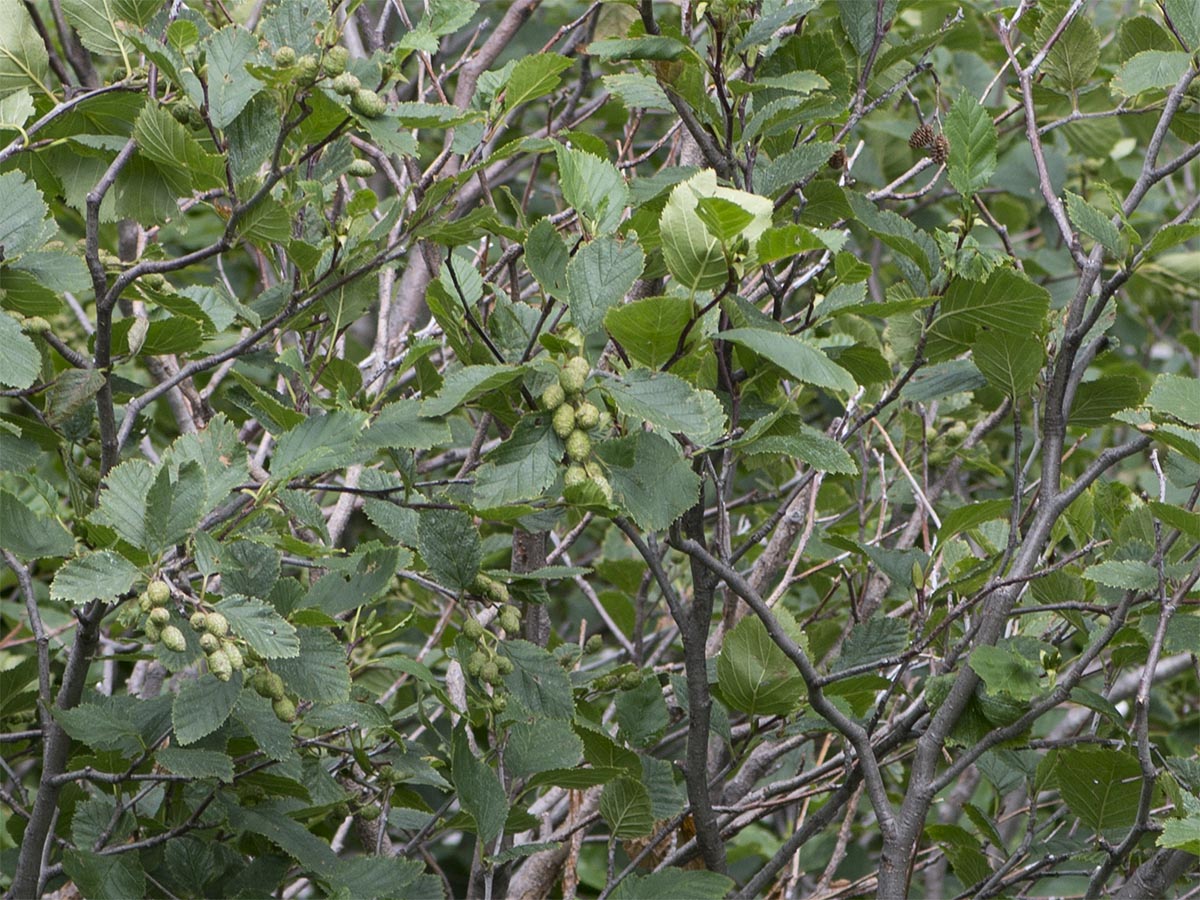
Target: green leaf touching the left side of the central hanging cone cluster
x=521, y=469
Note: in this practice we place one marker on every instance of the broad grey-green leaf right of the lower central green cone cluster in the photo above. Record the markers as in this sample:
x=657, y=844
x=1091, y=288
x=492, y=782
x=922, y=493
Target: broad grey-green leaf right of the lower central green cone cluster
x=651, y=482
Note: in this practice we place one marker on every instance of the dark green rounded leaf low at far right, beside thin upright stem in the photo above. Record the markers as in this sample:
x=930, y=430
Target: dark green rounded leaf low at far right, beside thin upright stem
x=1101, y=787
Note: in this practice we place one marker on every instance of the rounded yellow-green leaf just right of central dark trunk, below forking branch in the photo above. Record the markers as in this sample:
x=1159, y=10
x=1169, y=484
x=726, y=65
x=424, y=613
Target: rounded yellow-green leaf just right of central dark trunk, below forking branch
x=754, y=675
